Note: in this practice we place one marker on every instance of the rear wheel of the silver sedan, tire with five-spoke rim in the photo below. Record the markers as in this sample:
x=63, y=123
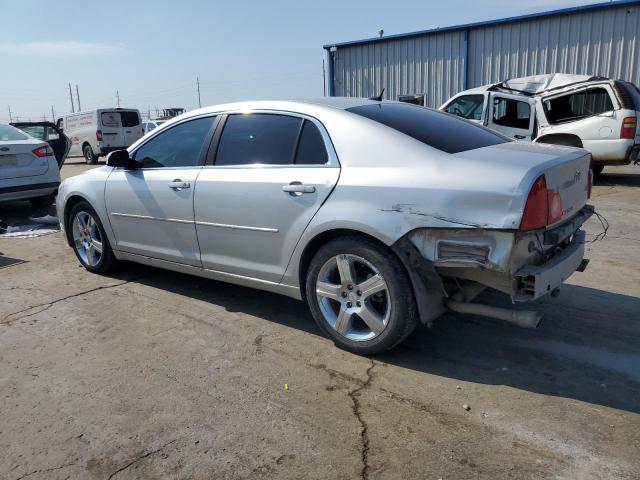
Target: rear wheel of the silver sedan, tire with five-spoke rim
x=337, y=309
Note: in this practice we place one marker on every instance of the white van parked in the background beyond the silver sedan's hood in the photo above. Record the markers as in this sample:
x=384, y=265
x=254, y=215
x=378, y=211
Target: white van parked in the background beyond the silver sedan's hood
x=98, y=132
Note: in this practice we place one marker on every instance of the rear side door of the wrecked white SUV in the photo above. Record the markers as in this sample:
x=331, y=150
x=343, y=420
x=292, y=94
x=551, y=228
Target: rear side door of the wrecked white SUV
x=511, y=115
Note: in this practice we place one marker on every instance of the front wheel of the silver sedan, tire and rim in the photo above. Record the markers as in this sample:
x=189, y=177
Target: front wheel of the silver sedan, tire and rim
x=84, y=229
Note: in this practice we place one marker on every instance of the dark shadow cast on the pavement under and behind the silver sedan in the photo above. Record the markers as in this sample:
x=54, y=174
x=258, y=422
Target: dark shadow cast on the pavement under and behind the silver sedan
x=587, y=349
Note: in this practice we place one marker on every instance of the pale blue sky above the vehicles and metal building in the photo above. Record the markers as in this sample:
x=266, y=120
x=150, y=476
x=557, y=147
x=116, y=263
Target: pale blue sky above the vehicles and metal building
x=152, y=52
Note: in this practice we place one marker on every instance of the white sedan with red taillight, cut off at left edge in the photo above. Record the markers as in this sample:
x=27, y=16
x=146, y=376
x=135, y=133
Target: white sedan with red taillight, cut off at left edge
x=28, y=168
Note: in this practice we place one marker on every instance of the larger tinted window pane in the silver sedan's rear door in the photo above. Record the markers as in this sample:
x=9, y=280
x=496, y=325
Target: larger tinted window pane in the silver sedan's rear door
x=258, y=138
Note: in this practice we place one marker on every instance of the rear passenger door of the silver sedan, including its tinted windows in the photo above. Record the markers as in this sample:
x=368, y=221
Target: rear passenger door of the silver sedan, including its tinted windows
x=272, y=173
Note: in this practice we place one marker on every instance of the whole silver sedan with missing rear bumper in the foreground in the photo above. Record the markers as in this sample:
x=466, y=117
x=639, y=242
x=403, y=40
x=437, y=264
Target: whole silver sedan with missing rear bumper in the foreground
x=378, y=214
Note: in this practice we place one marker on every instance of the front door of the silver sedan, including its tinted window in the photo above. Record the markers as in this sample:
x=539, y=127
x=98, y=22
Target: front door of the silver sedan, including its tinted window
x=151, y=207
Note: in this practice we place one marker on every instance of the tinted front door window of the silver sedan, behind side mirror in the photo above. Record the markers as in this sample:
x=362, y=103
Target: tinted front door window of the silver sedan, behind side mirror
x=179, y=146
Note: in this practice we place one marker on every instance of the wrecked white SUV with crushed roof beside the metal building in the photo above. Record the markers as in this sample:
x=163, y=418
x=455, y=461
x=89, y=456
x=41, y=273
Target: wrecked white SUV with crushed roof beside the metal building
x=594, y=113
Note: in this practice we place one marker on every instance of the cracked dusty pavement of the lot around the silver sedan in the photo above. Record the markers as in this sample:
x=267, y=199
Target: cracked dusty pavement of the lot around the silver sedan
x=153, y=374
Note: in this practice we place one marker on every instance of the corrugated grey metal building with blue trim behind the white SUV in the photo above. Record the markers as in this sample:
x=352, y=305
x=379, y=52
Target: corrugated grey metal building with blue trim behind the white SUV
x=597, y=39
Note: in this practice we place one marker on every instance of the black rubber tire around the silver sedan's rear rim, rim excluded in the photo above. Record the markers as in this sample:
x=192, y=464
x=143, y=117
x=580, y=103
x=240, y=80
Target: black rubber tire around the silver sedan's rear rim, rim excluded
x=403, y=317
